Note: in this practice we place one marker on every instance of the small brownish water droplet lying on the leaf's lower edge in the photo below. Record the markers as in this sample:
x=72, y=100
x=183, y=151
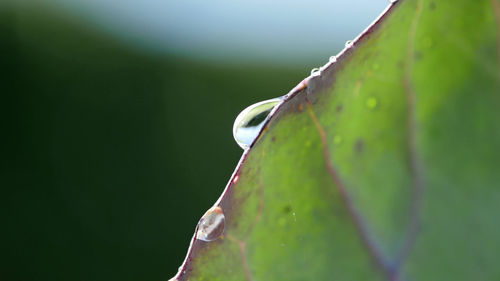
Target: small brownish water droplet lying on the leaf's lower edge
x=211, y=225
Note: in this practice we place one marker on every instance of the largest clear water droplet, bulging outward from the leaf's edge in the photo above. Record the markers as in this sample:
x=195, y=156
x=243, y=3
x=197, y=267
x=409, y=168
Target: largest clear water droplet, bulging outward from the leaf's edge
x=250, y=121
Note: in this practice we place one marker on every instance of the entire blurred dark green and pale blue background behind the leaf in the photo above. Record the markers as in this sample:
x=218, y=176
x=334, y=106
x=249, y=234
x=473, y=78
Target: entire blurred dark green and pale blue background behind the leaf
x=117, y=116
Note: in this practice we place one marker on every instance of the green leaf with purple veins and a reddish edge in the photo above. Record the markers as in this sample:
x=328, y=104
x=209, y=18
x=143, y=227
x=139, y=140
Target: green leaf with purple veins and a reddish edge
x=383, y=167
